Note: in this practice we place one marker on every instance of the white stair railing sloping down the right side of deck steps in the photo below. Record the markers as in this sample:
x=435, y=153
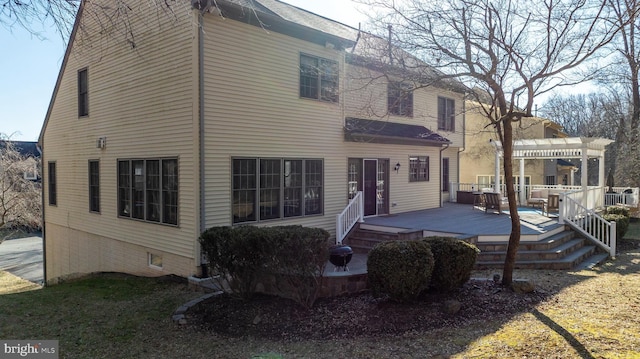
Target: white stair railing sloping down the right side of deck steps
x=587, y=222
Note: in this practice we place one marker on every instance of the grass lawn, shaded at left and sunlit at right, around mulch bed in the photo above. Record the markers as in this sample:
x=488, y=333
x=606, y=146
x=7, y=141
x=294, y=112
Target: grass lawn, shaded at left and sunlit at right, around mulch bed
x=592, y=314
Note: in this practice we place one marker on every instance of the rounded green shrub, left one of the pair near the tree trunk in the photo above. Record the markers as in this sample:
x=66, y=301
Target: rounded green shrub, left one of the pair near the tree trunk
x=399, y=269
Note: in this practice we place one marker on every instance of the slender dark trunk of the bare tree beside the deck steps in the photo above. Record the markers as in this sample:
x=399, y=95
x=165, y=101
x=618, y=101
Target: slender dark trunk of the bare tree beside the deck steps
x=514, y=237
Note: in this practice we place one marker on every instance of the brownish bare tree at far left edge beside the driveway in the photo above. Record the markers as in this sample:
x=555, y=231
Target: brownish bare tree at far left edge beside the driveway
x=20, y=194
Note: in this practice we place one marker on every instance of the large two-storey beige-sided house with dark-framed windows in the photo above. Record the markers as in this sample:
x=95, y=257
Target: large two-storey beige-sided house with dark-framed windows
x=232, y=114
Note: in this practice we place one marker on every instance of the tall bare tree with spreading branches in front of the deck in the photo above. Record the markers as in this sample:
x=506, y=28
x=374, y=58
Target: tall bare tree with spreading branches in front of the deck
x=511, y=50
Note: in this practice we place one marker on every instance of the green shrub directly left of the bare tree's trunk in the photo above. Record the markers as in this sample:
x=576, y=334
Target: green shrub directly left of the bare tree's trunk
x=454, y=261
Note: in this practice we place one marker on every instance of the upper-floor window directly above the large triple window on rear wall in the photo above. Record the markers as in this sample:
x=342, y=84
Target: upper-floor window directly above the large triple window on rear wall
x=318, y=78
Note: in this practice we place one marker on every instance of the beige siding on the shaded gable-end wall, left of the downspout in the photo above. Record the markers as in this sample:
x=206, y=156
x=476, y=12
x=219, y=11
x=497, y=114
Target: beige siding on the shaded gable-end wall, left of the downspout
x=144, y=101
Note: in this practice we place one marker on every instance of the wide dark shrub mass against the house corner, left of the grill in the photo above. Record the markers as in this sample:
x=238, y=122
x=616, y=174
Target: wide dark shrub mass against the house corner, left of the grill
x=244, y=256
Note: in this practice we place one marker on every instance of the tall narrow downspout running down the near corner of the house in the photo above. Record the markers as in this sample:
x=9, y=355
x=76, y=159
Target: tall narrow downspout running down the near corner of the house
x=201, y=138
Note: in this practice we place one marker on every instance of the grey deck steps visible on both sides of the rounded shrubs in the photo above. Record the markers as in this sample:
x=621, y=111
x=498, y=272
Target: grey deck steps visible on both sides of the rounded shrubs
x=564, y=250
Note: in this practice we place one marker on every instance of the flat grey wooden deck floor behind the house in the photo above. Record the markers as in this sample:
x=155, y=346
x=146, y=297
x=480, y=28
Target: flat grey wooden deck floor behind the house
x=464, y=219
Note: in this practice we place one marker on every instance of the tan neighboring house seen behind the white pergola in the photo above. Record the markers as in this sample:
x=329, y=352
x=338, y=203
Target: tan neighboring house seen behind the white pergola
x=477, y=161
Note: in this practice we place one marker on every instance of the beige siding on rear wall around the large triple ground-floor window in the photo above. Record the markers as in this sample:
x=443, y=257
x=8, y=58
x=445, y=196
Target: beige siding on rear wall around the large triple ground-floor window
x=261, y=115
